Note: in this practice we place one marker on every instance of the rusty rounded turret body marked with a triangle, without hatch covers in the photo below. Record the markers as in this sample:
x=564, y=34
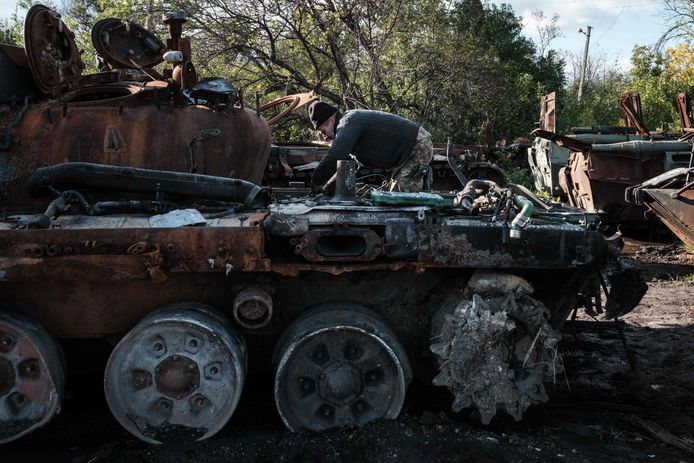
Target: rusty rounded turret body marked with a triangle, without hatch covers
x=135, y=125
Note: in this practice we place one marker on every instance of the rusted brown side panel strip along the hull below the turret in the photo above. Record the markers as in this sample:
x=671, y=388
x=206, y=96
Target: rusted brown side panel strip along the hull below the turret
x=125, y=254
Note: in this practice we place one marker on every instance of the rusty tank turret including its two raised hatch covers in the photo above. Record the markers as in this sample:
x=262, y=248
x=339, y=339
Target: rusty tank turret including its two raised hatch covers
x=127, y=117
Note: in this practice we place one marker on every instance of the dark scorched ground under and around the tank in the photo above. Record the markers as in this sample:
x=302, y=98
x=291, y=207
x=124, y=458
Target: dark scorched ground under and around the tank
x=612, y=405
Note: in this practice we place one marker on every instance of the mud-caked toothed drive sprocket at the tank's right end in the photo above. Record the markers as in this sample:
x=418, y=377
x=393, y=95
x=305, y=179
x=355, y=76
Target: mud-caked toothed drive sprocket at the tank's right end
x=494, y=347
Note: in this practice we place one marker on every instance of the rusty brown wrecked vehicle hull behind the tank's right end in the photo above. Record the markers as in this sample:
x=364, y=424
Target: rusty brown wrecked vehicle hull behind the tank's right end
x=597, y=172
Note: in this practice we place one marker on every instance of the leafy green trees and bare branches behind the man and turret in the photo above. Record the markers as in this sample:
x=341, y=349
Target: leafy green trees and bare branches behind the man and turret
x=449, y=65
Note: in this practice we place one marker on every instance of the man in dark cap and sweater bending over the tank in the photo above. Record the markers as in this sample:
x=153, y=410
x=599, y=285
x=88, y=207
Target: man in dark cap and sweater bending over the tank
x=377, y=139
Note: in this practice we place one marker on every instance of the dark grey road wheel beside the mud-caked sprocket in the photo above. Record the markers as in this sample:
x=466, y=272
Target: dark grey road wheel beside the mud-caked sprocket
x=339, y=366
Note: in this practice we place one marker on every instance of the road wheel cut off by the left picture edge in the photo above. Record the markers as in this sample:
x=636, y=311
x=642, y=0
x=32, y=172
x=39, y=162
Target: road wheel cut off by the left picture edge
x=32, y=377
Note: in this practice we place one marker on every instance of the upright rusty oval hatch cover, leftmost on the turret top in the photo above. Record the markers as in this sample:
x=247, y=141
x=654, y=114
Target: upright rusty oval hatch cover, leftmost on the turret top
x=53, y=56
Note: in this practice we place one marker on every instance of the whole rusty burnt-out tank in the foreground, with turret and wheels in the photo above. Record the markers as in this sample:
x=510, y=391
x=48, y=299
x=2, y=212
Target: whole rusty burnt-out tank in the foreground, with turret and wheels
x=132, y=213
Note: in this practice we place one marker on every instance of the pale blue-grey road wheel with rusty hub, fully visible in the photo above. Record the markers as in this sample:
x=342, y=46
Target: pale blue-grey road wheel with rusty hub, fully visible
x=177, y=375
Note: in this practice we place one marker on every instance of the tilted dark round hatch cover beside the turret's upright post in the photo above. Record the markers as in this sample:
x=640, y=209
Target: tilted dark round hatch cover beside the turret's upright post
x=124, y=44
